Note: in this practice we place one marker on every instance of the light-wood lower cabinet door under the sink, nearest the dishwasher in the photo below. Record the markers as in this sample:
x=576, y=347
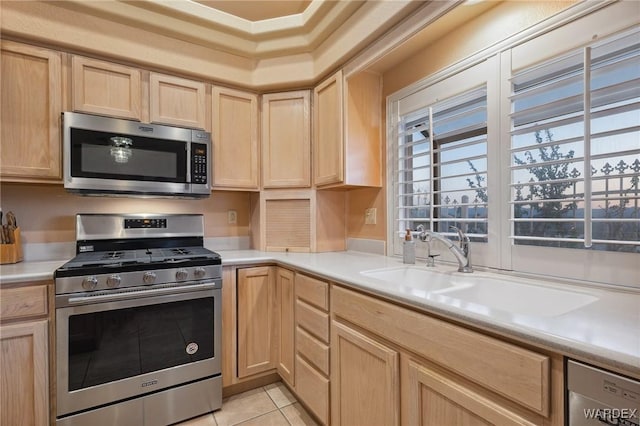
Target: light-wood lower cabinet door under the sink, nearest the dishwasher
x=434, y=399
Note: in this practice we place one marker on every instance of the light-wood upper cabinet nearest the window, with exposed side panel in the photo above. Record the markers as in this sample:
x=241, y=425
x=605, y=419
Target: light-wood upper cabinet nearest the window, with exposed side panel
x=346, y=131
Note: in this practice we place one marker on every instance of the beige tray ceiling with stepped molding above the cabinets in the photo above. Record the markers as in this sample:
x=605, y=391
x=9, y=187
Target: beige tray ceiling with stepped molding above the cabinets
x=260, y=44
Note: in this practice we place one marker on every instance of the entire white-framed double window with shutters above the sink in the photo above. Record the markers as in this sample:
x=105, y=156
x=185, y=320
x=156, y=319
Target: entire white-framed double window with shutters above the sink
x=541, y=136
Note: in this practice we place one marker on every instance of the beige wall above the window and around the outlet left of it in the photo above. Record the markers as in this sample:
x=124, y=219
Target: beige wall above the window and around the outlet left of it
x=496, y=24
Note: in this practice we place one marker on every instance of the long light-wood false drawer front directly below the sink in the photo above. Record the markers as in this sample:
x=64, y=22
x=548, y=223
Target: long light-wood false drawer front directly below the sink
x=509, y=370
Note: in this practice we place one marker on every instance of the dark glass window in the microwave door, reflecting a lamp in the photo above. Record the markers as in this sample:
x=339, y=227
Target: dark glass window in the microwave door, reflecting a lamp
x=111, y=156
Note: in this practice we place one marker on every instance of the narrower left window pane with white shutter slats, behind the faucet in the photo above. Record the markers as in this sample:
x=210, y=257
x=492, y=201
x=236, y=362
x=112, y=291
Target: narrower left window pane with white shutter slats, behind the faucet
x=442, y=166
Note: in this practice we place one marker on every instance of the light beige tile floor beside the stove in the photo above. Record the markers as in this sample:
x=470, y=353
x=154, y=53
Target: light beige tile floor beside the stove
x=271, y=405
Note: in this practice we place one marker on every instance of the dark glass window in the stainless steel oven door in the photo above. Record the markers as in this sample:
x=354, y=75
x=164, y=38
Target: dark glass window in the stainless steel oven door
x=111, y=345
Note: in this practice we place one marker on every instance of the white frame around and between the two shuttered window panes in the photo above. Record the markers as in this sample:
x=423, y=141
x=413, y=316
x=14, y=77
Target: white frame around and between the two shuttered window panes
x=570, y=30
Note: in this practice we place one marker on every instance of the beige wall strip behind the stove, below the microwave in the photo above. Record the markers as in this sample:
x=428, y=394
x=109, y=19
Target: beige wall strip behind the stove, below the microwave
x=46, y=213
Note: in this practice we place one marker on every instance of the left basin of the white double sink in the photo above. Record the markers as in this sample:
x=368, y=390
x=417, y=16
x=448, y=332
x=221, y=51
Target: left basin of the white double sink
x=420, y=278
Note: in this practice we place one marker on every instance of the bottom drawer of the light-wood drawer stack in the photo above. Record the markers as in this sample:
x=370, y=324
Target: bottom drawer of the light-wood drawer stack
x=313, y=389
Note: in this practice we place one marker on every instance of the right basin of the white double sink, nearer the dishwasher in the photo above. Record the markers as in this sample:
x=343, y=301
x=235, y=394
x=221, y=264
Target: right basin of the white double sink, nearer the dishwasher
x=520, y=298
